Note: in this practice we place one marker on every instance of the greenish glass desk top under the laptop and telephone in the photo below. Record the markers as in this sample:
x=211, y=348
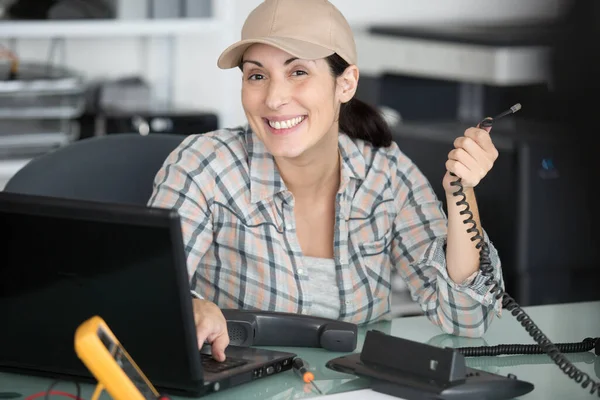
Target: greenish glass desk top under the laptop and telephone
x=561, y=323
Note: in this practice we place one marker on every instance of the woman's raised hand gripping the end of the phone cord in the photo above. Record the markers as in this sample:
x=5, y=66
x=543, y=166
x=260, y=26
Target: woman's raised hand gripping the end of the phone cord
x=471, y=159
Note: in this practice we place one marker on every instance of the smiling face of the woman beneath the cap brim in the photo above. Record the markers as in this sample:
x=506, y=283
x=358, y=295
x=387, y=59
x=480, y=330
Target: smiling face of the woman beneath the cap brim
x=292, y=105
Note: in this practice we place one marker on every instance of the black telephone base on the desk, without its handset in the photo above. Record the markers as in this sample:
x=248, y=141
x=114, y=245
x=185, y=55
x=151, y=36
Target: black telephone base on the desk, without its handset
x=417, y=371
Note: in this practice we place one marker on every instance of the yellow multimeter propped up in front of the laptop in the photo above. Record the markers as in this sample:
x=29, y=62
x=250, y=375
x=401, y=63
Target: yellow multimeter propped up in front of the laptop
x=98, y=348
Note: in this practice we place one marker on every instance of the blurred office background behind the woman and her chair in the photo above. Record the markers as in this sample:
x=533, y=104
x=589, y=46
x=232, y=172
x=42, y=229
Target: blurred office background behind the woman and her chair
x=149, y=66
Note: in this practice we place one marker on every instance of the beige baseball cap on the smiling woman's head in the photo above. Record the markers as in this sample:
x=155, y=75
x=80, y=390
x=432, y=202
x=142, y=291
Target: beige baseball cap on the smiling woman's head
x=307, y=29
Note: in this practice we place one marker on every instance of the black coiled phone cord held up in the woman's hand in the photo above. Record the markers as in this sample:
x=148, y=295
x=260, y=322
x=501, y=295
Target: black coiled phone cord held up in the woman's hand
x=508, y=303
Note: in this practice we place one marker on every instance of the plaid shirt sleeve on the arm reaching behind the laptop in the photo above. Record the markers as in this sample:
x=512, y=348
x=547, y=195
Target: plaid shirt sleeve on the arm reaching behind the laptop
x=176, y=187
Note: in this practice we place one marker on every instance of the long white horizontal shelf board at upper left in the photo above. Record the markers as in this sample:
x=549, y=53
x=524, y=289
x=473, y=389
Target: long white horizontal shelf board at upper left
x=107, y=28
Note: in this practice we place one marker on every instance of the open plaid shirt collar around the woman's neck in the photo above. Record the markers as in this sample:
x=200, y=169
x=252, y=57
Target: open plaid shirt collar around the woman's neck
x=265, y=180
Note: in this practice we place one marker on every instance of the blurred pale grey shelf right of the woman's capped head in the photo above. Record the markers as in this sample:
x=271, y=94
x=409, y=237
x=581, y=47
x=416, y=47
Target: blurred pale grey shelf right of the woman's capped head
x=435, y=59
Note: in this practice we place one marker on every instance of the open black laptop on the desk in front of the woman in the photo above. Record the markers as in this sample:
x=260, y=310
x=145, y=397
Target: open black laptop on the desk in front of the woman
x=64, y=261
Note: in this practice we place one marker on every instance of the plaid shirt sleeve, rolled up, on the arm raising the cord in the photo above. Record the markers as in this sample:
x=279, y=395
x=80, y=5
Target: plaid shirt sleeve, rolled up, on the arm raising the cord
x=420, y=231
